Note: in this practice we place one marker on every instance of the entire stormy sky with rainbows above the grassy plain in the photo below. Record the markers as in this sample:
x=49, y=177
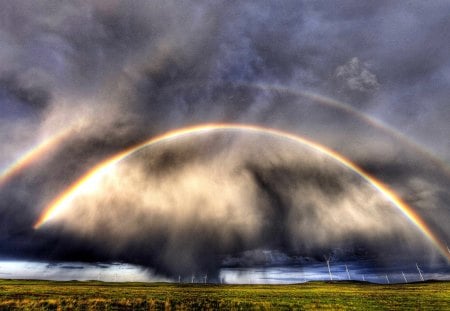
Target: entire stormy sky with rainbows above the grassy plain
x=297, y=132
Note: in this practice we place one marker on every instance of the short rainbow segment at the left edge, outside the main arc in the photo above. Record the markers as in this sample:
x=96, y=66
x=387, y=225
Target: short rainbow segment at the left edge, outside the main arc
x=32, y=155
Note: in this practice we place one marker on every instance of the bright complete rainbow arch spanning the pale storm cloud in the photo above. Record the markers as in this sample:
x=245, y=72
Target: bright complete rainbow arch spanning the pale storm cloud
x=62, y=201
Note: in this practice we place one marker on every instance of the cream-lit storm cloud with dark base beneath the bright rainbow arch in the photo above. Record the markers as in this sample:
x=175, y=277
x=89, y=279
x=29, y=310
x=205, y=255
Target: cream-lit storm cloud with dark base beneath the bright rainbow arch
x=257, y=193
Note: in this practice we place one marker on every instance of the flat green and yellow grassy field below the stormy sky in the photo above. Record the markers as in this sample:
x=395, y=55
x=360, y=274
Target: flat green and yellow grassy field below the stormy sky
x=45, y=295
